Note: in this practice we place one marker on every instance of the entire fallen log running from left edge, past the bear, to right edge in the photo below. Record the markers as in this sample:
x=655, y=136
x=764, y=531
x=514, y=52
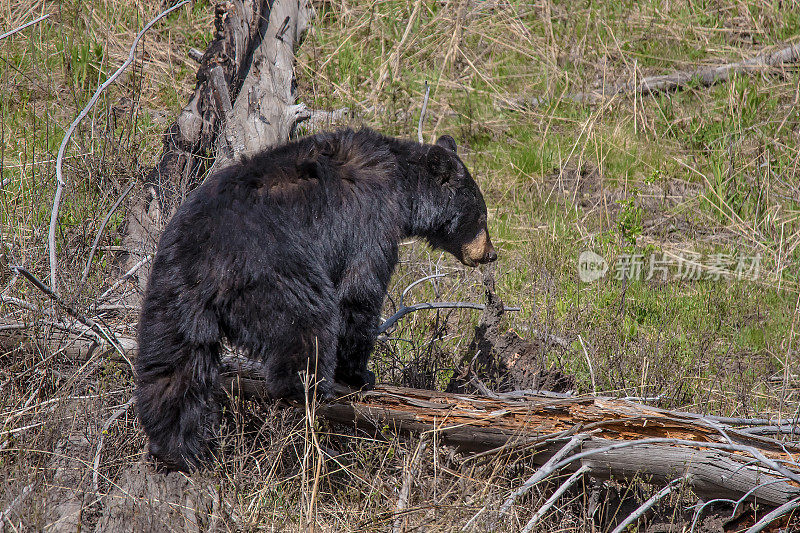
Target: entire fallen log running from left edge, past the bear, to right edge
x=619, y=438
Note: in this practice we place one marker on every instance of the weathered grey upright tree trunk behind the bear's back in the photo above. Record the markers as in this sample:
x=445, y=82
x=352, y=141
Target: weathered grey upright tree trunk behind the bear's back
x=245, y=90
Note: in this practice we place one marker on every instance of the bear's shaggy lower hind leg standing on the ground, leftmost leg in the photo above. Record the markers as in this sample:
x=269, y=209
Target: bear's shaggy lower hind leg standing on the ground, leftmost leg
x=176, y=398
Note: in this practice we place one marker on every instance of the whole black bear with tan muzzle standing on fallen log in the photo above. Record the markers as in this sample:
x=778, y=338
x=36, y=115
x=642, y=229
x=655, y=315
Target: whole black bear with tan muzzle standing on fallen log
x=288, y=256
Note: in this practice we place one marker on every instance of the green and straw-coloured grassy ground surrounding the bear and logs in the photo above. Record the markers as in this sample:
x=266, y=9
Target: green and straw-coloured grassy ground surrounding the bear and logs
x=708, y=176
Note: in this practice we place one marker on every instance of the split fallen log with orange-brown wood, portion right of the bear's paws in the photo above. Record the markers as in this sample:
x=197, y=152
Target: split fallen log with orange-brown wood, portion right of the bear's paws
x=476, y=423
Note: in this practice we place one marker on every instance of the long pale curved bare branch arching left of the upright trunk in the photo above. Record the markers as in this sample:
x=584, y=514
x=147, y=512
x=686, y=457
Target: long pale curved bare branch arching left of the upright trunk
x=51, y=237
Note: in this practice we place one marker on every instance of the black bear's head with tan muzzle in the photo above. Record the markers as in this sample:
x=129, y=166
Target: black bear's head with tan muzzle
x=462, y=211
